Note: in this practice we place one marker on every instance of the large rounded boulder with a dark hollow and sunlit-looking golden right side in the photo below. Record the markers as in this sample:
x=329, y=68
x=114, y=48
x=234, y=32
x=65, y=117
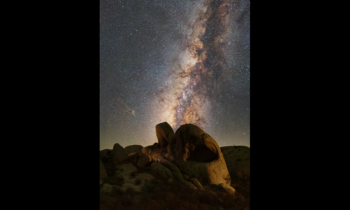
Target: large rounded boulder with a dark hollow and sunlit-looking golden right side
x=198, y=155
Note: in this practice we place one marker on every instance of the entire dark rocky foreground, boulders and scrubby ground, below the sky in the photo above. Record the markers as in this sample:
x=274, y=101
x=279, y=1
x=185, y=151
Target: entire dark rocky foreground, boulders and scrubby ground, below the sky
x=189, y=158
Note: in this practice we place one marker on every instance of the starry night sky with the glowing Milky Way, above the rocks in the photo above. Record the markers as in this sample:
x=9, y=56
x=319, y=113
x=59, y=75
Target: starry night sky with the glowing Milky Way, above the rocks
x=179, y=61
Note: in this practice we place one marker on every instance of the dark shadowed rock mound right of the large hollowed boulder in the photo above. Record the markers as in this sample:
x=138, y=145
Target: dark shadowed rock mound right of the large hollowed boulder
x=237, y=159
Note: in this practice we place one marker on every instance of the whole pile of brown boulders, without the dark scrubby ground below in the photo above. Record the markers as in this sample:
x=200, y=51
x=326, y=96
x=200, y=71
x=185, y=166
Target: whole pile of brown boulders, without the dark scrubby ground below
x=189, y=155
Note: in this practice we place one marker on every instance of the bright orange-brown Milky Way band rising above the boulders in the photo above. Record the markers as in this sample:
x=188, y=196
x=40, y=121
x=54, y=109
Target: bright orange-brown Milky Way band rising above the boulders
x=194, y=76
